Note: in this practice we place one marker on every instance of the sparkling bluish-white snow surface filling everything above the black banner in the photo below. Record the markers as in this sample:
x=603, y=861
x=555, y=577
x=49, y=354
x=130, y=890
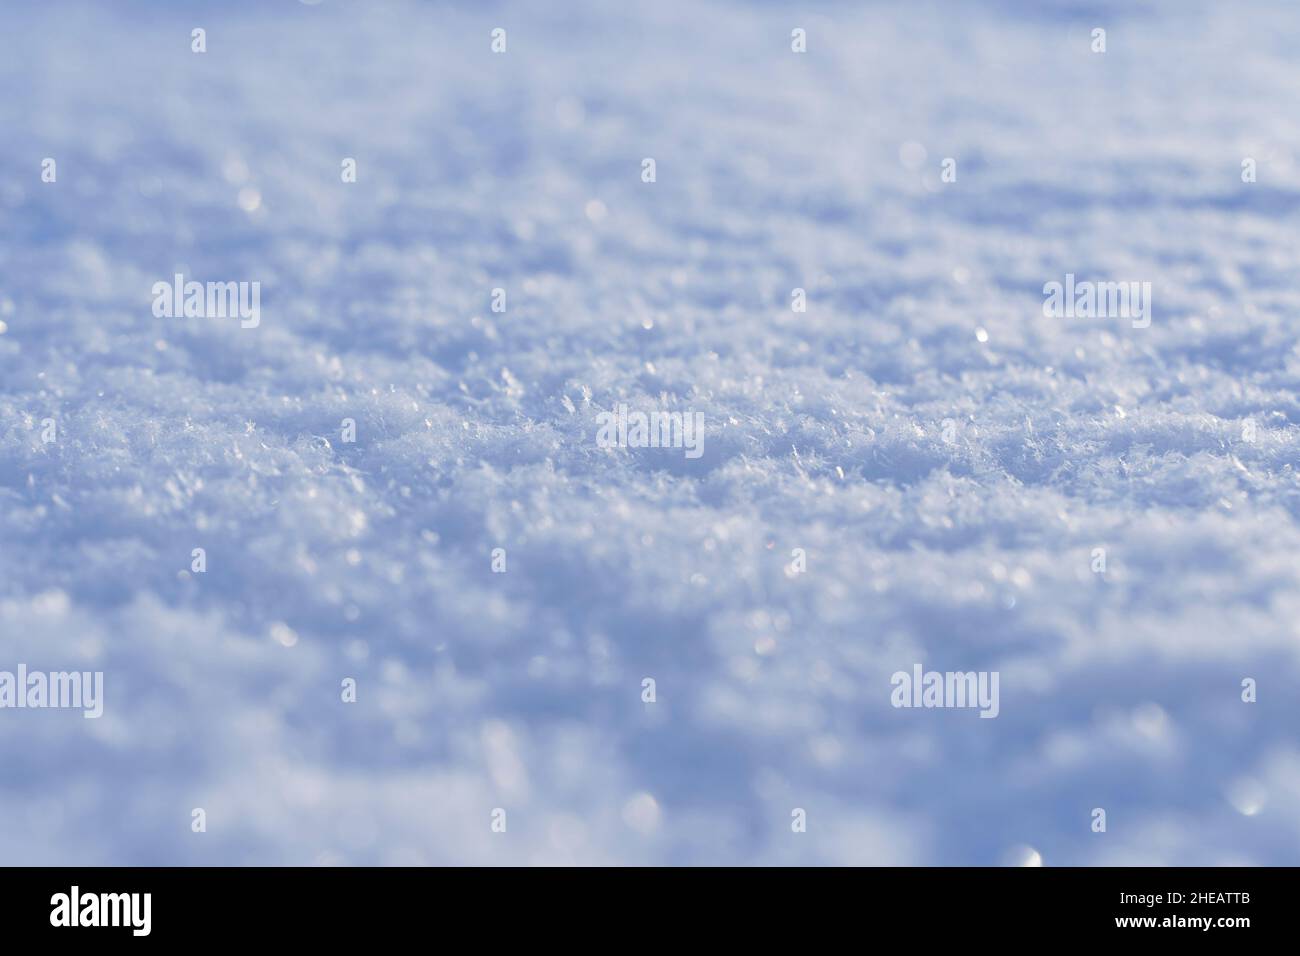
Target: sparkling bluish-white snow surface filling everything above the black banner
x=569, y=651
